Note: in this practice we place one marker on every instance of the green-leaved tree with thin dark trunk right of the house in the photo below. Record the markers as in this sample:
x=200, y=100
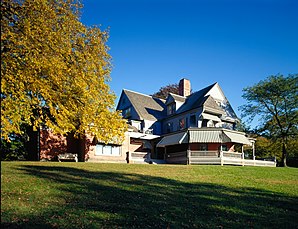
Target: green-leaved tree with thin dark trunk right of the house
x=275, y=101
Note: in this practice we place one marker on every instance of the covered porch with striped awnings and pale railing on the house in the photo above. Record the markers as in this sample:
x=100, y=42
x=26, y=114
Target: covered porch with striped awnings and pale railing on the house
x=209, y=146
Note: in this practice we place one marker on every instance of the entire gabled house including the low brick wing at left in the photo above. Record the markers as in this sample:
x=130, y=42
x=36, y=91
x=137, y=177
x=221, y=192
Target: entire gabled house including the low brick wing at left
x=189, y=128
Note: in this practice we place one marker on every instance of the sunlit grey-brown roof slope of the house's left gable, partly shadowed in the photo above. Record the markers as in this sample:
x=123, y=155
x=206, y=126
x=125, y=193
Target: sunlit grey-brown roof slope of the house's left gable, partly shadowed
x=147, y=107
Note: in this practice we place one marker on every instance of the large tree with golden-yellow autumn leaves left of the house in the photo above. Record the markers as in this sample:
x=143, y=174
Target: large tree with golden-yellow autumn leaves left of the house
x=55, y=71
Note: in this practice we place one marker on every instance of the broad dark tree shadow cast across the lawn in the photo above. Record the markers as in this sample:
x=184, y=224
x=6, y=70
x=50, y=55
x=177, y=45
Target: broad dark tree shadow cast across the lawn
x=125, y=200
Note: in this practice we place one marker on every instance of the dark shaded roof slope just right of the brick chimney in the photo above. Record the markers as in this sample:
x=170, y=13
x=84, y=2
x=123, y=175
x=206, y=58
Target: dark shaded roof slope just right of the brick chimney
x=195, y=100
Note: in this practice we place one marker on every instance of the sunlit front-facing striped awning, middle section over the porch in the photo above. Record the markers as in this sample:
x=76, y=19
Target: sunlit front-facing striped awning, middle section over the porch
x=207, y=136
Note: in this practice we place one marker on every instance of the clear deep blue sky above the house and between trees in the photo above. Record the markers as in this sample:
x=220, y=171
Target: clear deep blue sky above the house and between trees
x=236, y=43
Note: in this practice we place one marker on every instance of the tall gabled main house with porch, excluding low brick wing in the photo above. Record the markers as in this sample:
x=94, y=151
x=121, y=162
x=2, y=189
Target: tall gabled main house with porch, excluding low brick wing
x=189, y=128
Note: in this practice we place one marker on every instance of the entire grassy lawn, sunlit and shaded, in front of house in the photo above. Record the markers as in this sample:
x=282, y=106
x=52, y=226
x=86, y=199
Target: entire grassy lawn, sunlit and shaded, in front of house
x=90, y=195
